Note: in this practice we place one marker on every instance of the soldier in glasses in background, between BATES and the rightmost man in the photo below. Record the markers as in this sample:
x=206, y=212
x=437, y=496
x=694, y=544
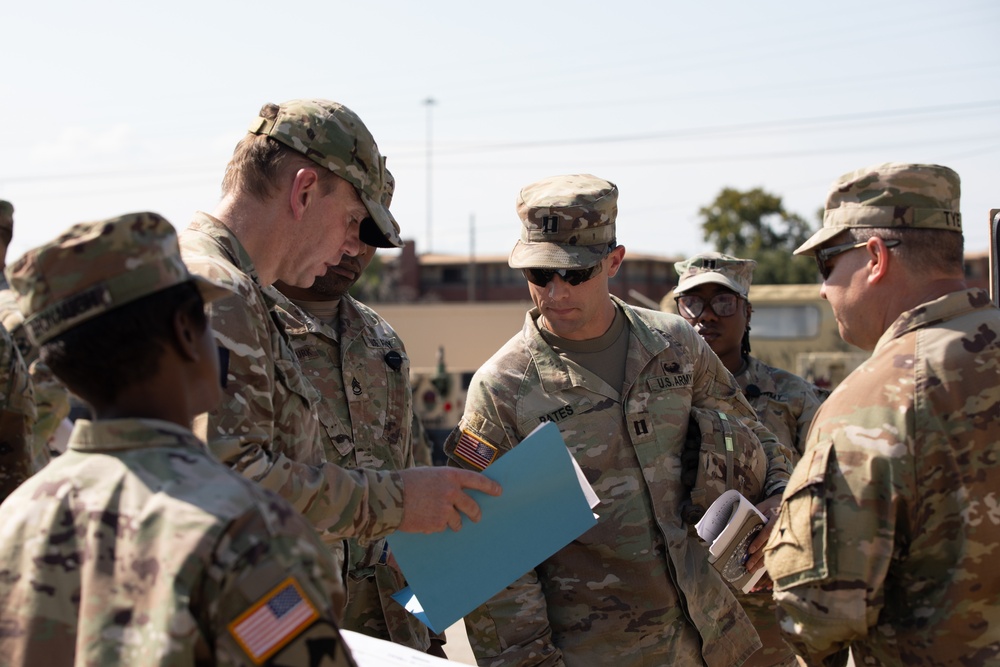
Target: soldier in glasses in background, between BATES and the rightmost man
x=712, y=294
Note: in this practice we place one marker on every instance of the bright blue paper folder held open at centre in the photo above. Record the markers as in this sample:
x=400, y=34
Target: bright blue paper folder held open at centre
x=546, y=503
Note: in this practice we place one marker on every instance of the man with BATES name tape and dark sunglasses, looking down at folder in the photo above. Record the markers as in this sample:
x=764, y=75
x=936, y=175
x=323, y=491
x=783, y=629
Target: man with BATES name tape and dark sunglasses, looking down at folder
x=620, y=382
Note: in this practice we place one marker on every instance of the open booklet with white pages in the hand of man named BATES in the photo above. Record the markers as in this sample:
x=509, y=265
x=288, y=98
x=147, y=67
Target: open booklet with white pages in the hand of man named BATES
x=729, y=526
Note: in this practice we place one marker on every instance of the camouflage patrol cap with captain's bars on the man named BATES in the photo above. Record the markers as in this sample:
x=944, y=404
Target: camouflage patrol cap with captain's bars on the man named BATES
x=567, y=222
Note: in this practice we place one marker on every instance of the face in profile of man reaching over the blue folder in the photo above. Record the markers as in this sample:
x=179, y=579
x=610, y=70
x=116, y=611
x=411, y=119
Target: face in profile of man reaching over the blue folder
x=326, y=233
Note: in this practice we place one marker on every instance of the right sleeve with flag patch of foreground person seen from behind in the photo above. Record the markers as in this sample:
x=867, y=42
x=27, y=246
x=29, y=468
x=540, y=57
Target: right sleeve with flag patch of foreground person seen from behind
x=272, y=598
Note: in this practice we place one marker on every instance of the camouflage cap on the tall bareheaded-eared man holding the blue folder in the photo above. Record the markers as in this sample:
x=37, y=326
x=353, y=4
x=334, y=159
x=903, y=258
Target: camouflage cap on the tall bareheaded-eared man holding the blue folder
x=333, y=136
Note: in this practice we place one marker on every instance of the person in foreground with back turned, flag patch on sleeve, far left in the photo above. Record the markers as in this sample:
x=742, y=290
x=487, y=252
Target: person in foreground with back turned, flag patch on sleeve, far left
x=137, y=547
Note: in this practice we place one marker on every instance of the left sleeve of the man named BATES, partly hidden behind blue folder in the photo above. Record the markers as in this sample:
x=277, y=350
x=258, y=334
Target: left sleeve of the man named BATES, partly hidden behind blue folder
x=512, y=628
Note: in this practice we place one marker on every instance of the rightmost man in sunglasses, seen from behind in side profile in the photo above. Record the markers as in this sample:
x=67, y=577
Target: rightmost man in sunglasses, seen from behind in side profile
x=889, y=529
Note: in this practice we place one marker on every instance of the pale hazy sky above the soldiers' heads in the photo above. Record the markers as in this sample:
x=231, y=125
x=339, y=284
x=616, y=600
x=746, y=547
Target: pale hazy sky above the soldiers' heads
x=111, y=107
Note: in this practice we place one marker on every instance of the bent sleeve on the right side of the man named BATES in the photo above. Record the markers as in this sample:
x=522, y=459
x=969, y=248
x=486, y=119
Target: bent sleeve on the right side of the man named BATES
x=717, y=389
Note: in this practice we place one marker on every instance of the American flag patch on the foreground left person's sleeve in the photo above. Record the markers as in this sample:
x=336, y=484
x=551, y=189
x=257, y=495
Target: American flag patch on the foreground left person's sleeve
x=273, y=621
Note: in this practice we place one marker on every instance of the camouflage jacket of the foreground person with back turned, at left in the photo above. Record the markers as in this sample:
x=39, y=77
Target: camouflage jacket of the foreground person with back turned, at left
x=136, y=547
